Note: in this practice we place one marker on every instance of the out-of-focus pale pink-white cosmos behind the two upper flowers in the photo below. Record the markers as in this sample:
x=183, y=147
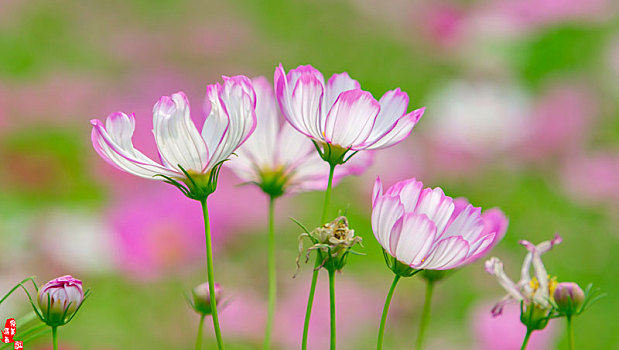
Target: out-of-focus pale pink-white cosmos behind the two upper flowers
x=278, y=158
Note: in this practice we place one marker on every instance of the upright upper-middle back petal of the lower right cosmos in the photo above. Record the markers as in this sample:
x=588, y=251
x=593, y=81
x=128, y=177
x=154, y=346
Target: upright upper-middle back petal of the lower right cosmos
x=436, y=205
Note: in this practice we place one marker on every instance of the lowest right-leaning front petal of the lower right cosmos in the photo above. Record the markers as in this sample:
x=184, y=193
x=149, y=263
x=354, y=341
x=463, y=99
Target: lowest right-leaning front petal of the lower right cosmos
x=446, y=254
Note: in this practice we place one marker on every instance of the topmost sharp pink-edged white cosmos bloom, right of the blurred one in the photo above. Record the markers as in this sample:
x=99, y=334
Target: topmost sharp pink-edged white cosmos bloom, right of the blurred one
x=340, y=113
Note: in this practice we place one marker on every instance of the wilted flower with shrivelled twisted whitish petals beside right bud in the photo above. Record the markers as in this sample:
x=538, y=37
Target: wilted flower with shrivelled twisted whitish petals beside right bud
x=534, y=291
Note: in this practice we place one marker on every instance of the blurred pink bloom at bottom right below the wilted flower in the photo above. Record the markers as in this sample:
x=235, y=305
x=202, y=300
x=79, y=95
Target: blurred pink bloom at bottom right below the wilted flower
x=506, y=332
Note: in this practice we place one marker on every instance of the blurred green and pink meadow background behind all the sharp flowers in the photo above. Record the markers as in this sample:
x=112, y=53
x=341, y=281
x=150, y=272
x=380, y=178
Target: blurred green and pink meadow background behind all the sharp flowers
x=522, y=114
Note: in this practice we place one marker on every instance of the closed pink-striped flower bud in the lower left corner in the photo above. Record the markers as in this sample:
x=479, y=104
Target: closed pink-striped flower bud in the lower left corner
x=59, y=299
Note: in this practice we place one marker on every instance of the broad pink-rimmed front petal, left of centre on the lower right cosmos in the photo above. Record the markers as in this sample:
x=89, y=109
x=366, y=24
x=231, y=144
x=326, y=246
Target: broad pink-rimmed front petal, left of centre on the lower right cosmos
x=416, y=239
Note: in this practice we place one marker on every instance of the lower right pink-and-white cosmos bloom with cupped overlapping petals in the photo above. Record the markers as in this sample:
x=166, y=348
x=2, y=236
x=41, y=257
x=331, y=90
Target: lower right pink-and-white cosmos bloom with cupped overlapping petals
x=425, y=229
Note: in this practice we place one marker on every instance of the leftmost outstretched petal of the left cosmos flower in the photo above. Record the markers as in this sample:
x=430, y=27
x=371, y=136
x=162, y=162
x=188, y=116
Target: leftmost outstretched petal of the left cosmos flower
x=113, y=143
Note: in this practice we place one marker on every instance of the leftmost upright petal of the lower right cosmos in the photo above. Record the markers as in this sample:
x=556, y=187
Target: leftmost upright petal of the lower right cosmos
x=386, y=212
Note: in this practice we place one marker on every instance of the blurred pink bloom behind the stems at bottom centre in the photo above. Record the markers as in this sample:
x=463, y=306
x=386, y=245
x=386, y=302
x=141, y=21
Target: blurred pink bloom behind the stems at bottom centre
x=357, y=308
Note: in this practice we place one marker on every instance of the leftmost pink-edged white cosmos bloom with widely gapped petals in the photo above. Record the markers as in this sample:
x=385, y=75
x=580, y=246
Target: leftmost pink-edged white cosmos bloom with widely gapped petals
x=231, y=118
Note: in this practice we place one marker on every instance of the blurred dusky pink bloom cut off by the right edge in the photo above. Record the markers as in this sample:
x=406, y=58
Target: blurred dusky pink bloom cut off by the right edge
x=592, y=178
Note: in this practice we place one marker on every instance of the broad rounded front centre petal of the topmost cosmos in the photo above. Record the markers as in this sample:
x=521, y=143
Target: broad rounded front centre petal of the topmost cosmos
x=350, y=120
